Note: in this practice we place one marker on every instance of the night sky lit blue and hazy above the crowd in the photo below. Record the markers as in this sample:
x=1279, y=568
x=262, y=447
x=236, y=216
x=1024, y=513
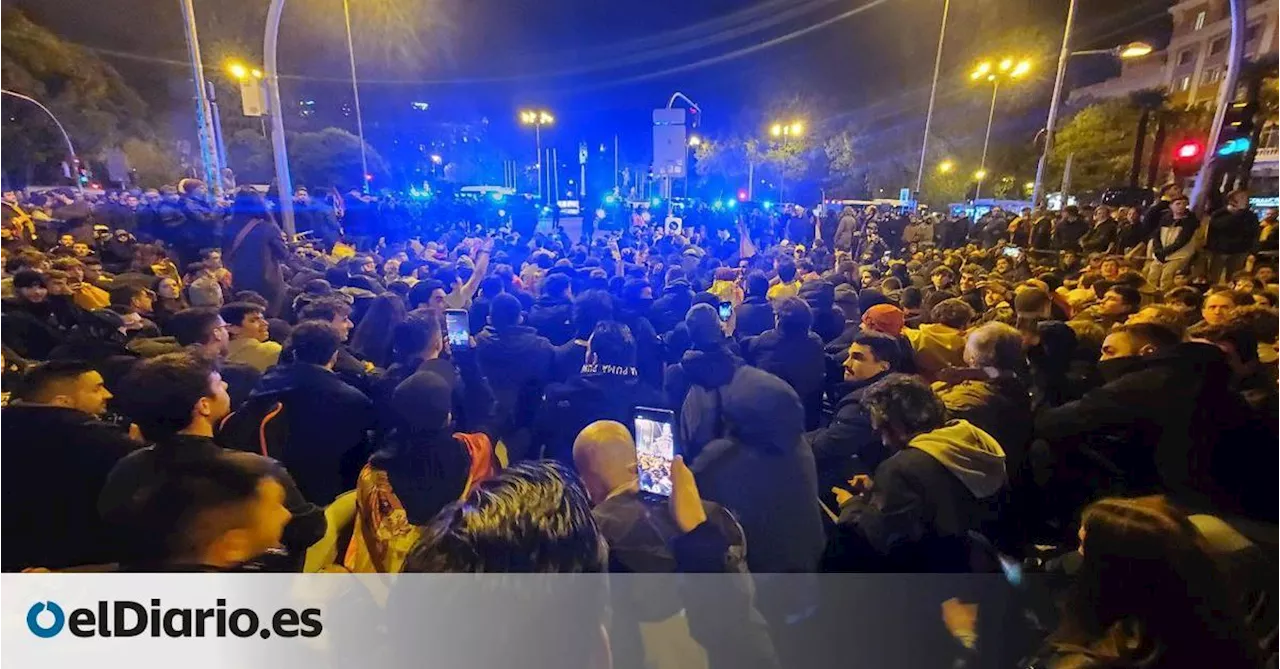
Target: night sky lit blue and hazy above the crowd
x=602, y=66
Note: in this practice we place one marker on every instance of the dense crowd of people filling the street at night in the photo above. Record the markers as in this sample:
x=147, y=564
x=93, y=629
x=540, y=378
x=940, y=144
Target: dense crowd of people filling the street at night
x=1090, y=392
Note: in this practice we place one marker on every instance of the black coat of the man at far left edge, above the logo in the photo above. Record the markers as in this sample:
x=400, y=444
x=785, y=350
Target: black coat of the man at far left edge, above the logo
x=56, y=464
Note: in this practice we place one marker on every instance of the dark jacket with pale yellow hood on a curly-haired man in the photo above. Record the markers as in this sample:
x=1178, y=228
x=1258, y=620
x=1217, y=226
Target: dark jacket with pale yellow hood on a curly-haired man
x=925, y=501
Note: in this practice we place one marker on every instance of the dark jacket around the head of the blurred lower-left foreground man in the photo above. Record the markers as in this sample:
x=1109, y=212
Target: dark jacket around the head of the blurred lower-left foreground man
x=144, y=468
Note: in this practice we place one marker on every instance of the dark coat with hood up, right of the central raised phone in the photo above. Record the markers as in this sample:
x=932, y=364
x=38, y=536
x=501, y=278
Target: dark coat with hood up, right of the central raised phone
x=762, y=471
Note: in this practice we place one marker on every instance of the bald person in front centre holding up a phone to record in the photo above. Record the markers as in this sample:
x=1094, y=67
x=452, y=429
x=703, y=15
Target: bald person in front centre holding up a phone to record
x=680, y=534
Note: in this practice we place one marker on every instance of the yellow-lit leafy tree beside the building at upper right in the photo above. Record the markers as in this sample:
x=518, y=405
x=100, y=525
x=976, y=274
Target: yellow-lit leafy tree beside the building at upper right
x=1100, y=140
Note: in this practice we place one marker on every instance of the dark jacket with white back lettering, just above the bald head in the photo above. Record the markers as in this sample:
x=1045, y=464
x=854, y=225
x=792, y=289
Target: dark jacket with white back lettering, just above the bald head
x=602, y=395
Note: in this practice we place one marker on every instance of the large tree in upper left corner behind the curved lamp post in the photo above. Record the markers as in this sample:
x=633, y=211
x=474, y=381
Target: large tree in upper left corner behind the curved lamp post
x=86, y=94
